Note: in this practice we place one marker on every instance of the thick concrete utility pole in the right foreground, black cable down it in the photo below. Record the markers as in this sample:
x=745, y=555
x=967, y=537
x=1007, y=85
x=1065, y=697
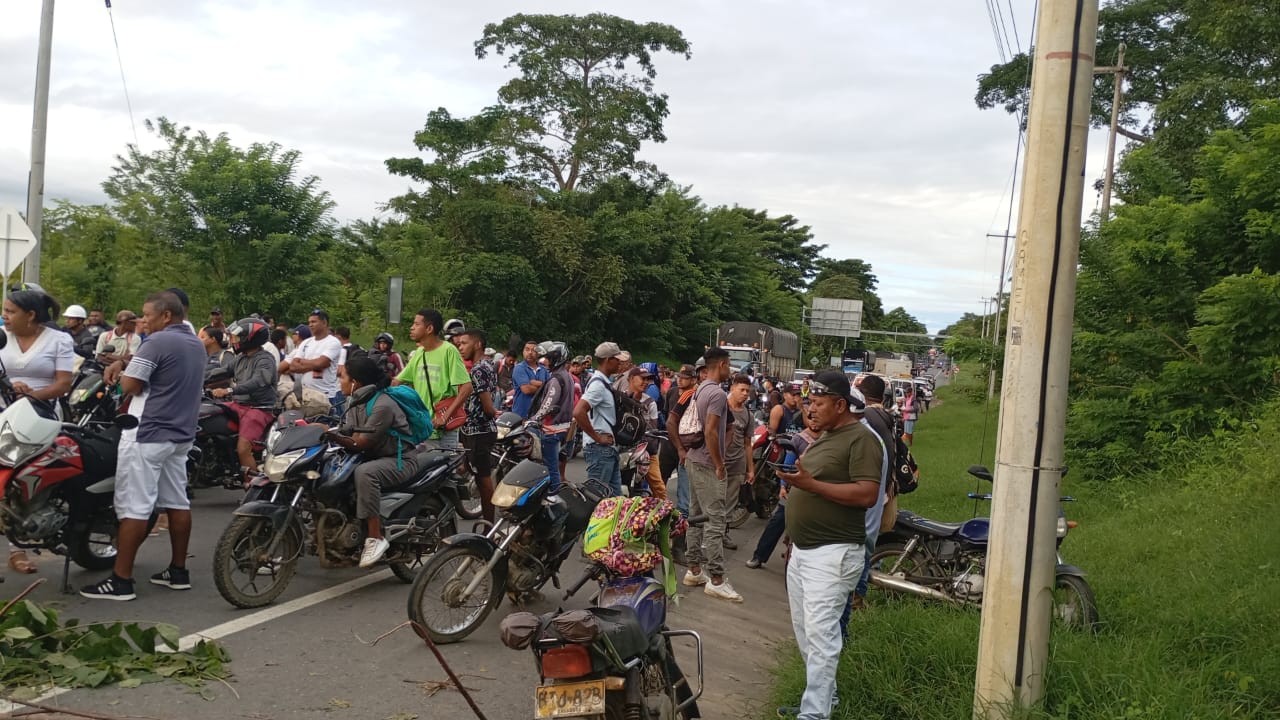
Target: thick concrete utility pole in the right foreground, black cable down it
x=1013, y=649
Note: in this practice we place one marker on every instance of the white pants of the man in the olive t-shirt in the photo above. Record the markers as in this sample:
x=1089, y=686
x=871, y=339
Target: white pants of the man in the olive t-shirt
x=819, y=584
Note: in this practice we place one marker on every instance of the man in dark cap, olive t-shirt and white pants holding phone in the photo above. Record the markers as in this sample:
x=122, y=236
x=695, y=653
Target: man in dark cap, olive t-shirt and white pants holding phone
x=835, y=482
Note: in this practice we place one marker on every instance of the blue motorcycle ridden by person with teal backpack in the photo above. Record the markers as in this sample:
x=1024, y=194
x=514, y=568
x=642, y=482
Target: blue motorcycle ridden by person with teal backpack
x=305, y=503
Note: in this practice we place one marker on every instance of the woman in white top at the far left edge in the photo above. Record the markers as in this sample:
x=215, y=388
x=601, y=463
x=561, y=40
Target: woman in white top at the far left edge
x=38, y=359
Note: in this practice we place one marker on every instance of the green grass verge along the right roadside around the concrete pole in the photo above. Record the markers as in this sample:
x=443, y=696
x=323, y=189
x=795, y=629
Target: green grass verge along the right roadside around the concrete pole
x=1186, y=566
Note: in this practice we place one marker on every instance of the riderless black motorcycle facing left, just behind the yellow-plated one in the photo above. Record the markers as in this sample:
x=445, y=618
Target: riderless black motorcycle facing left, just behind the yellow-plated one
x=463, y=584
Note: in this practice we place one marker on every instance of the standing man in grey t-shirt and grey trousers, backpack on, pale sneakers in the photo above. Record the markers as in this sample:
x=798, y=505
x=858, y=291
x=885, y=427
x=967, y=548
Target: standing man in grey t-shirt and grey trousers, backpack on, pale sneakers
x=707, y=480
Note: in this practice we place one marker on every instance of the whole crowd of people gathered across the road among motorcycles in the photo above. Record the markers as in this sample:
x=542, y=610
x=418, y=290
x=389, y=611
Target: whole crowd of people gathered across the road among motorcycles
x=833, y=493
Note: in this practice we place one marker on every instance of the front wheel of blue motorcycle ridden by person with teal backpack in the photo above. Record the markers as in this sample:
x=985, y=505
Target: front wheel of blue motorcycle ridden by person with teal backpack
x=241, y=552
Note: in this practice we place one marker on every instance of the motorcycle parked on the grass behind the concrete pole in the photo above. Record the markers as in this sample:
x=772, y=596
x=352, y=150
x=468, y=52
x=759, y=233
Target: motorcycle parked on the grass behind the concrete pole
x=947, y=562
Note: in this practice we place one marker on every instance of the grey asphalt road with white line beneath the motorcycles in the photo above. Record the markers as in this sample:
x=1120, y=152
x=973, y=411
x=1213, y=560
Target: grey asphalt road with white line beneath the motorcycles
x=308, y=657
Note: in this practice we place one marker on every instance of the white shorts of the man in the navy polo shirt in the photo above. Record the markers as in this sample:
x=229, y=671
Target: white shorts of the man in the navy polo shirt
x=149, y=476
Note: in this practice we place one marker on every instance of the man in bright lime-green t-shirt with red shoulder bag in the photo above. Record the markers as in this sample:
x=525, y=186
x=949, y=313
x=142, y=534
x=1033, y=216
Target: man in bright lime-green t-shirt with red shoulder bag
x=437, y=373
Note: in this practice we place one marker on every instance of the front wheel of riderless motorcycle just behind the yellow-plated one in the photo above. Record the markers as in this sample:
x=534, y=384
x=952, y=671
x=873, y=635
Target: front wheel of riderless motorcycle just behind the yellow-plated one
x=435, y=605
